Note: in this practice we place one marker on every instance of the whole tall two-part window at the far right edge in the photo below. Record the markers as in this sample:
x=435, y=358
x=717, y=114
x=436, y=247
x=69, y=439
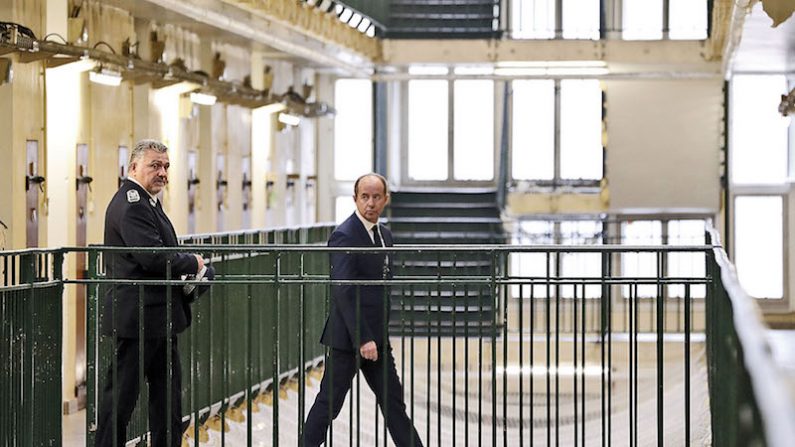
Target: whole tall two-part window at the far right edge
x=759, y=173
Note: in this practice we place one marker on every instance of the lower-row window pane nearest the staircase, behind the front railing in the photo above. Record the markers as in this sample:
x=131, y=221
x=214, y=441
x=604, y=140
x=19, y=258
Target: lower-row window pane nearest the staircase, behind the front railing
x=532, y=232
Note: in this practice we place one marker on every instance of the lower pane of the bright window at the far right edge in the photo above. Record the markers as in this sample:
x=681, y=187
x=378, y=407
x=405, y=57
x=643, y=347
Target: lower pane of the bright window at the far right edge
x=758, y=245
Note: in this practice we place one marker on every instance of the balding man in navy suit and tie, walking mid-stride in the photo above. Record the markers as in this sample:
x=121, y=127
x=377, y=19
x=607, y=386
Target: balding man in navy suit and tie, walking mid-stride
x=355, y=330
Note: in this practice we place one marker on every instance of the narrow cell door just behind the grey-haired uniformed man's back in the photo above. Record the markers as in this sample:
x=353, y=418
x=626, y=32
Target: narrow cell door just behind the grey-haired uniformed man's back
x=82, y=185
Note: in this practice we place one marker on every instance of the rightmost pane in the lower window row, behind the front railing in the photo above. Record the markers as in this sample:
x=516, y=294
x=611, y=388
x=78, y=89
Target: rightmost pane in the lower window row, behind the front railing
x=686, y=265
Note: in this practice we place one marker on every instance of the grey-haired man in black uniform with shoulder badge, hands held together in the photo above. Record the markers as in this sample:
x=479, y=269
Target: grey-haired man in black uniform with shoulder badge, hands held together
x=135, y=218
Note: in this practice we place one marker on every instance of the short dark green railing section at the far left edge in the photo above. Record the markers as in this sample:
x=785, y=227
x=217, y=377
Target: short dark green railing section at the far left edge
x=30, y=348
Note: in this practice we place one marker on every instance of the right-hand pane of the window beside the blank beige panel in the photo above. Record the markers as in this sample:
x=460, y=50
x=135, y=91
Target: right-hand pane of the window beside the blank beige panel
x=580, y=129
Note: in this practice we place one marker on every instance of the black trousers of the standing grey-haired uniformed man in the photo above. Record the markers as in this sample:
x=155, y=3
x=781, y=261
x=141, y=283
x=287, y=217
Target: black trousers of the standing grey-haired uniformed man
x=155, y=370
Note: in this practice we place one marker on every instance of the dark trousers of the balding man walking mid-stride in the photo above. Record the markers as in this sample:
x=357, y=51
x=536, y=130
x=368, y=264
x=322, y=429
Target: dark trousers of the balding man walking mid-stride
x=337, y=379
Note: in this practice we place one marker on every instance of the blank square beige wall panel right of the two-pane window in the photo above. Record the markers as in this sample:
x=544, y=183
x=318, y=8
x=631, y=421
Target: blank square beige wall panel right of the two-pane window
x=663, y=144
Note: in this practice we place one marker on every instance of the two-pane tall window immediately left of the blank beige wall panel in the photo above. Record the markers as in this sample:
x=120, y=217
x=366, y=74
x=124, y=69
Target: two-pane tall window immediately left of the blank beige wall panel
x=577, y=153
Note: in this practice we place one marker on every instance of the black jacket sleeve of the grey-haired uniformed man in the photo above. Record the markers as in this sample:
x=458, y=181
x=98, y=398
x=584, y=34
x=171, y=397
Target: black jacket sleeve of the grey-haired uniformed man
x=138, y=229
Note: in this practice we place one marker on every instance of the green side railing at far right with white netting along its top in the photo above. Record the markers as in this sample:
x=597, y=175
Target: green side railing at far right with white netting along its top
x=751, y=400
